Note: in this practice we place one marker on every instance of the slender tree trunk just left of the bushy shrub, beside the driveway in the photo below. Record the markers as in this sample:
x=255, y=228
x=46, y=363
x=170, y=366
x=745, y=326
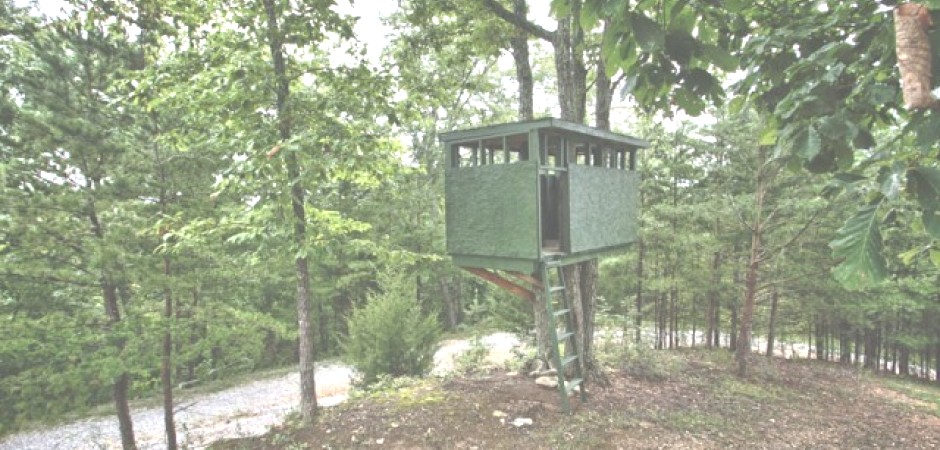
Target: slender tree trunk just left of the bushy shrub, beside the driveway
x=305, y=342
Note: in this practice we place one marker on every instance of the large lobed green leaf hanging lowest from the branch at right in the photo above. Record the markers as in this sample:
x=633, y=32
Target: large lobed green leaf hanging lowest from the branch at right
x=858, y=244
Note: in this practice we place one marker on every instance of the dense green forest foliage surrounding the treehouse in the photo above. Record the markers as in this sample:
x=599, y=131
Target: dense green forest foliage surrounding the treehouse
x=155, y=159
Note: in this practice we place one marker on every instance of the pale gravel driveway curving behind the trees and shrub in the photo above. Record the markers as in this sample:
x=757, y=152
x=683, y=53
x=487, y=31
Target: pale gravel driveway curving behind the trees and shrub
x=246, y=410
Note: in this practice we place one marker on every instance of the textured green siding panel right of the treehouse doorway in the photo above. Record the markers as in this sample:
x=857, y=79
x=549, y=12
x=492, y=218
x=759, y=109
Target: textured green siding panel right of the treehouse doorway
x=603, y=207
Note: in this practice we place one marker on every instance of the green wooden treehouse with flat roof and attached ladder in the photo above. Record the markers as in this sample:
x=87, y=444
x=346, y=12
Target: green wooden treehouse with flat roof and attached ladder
x=528, y=198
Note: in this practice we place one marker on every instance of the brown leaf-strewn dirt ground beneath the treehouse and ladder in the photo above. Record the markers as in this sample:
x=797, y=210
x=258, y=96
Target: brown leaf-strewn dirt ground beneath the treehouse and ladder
x=701, y=404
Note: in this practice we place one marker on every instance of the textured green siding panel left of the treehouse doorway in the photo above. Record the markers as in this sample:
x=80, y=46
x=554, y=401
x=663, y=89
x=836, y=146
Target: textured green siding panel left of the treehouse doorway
x=492, y=211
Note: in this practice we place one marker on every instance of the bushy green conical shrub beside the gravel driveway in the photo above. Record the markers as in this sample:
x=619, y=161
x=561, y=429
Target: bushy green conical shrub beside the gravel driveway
x=390, y=335
